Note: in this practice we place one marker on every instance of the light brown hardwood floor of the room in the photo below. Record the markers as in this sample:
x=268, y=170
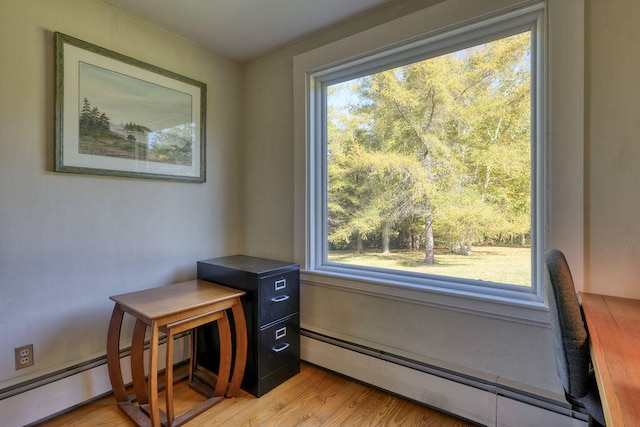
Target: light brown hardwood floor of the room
x=314, y=397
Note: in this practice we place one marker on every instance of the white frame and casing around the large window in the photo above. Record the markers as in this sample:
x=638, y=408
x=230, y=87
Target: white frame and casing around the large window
x=526, y=304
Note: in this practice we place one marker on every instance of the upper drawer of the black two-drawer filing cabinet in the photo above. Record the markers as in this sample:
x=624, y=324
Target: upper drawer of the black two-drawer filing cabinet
x=279, y=296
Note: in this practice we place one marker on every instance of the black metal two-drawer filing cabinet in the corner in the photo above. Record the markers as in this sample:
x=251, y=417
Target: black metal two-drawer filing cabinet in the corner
x=272, y=309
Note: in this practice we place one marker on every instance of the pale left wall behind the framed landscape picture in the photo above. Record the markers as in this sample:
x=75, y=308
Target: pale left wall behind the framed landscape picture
x=68, y=242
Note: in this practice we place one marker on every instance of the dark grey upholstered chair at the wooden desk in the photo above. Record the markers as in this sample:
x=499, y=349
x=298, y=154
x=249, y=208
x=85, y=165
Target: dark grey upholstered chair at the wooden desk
x=570, y=340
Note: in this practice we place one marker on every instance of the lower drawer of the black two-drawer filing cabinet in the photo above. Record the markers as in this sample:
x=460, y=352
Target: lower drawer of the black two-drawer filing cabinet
x=279, y=345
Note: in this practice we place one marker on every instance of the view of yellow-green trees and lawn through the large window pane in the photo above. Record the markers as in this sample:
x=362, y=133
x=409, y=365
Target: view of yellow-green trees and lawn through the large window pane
x=429, y=165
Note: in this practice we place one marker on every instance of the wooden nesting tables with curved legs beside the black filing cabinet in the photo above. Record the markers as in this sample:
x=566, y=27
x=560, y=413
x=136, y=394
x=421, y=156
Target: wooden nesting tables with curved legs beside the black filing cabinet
x=174, y=309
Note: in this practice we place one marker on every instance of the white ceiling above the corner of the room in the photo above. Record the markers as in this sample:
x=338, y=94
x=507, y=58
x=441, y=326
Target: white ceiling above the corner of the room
x=244, y=29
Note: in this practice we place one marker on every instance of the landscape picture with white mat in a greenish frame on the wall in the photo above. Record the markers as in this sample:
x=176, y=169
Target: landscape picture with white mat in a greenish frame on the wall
x=119, y=116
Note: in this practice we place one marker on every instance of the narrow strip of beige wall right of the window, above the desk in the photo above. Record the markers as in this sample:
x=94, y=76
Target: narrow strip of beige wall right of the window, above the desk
x=612, y=148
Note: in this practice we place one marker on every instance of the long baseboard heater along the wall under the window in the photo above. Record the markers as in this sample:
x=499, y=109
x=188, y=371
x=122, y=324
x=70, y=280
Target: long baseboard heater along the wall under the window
x=475, y=399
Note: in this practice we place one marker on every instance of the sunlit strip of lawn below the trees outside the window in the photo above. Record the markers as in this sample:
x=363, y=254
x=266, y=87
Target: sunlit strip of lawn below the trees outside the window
x=510, y=265
